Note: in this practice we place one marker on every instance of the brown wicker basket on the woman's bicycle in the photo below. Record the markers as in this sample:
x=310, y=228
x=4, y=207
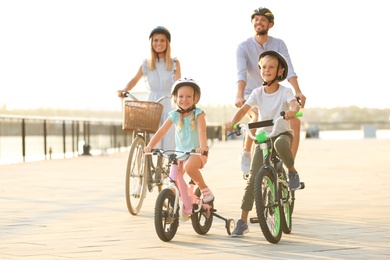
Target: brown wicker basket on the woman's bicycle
x=141, y=116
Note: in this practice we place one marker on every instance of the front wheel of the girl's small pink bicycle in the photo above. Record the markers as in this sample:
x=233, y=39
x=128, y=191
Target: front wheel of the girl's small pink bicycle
x=166, y=221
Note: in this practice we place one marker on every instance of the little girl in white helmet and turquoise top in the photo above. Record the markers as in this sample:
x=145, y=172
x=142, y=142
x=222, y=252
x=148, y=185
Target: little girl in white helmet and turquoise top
x=190, y=131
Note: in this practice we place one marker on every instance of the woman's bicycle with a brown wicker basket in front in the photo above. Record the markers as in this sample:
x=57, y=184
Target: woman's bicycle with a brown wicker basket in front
x=141, y=119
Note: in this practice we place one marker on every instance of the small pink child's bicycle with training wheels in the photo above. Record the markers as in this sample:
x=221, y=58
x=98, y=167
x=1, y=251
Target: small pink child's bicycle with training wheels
x=179, y=201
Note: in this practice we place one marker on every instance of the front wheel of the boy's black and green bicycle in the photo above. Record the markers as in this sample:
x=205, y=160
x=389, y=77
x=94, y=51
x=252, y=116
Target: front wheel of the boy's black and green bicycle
x=267, y=208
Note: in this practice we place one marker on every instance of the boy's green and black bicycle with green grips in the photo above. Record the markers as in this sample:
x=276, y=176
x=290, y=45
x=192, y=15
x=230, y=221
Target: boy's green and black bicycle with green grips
x=273, y=199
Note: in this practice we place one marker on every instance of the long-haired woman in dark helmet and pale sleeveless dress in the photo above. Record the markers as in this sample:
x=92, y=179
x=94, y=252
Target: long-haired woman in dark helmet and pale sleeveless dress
x=159, y=72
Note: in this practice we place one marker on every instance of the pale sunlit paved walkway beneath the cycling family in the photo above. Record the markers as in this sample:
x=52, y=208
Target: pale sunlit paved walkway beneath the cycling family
x=76, y=209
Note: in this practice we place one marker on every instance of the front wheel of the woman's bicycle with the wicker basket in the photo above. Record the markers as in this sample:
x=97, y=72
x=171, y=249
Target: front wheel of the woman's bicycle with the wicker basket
x=136, y=176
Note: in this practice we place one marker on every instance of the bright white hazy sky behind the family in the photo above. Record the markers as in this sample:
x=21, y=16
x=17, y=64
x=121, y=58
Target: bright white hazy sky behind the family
x=75, y=54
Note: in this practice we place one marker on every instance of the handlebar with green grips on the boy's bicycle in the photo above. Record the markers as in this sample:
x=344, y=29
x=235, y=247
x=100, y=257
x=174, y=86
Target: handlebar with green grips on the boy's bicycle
x=263, y=136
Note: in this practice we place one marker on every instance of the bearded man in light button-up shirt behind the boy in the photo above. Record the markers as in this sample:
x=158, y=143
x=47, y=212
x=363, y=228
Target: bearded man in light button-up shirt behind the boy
x=249, y=77
